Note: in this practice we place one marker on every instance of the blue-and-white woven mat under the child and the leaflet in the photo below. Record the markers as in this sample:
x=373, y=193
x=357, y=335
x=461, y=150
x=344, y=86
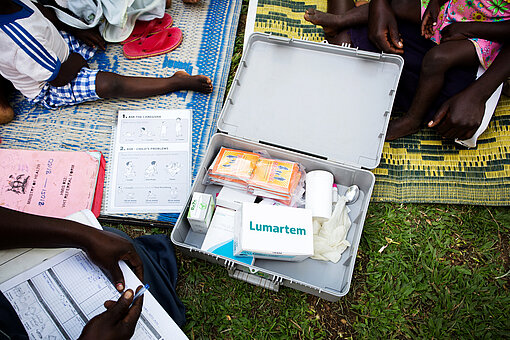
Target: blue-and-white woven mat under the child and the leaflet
x=209, y=30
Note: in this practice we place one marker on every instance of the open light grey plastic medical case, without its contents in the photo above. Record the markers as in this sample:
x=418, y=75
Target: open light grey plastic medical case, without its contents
x=326, y=107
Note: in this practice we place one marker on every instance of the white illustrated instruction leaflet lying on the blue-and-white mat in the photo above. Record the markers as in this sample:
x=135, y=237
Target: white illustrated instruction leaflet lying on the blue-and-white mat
x=151, y=162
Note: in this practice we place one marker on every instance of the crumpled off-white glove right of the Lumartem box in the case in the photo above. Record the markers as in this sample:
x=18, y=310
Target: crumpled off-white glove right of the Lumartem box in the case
x=329, y=239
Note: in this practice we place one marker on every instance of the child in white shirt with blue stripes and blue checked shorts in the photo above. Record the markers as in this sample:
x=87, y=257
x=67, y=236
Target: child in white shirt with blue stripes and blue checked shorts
x=50, y=68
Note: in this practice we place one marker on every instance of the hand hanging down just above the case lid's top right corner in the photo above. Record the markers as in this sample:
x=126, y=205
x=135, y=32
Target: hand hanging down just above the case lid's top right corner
x=382, y=27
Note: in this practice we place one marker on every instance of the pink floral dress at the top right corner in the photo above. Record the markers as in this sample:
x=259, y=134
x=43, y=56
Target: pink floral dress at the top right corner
x=472, y=10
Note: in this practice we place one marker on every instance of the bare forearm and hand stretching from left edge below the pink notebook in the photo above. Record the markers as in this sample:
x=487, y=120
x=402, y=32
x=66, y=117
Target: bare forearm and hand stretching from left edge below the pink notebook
x=105, y=249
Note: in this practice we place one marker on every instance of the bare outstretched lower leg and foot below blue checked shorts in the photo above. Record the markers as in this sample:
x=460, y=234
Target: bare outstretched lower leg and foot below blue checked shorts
x=112, y=85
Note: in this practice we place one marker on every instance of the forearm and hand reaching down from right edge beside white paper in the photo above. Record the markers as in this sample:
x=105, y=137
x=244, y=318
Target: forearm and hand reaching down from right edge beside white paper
x=461, y=115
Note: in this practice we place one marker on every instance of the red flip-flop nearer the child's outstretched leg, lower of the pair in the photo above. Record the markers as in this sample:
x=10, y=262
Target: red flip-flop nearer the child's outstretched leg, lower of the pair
x=159, y=43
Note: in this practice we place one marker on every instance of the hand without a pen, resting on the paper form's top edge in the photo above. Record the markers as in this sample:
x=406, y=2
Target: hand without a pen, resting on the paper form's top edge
x=105, y=249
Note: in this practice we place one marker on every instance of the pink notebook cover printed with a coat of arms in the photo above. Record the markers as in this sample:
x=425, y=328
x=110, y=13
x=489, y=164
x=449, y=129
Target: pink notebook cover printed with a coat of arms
x=49, y=183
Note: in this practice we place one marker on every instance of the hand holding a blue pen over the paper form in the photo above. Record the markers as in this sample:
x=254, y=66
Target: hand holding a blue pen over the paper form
x=117, y=322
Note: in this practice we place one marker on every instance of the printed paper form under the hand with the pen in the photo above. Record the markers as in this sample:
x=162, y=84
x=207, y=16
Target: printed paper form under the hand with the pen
x=55, y=299
